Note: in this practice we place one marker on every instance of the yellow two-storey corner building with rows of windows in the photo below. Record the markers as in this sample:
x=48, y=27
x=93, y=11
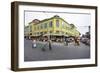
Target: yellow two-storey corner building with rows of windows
x=55, y=28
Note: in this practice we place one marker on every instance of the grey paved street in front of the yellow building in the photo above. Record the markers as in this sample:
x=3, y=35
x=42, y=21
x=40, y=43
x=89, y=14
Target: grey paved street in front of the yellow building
x=59, y=51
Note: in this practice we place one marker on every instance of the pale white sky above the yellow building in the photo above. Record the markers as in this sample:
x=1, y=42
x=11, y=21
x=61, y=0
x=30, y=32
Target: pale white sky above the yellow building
x=80, y=20
